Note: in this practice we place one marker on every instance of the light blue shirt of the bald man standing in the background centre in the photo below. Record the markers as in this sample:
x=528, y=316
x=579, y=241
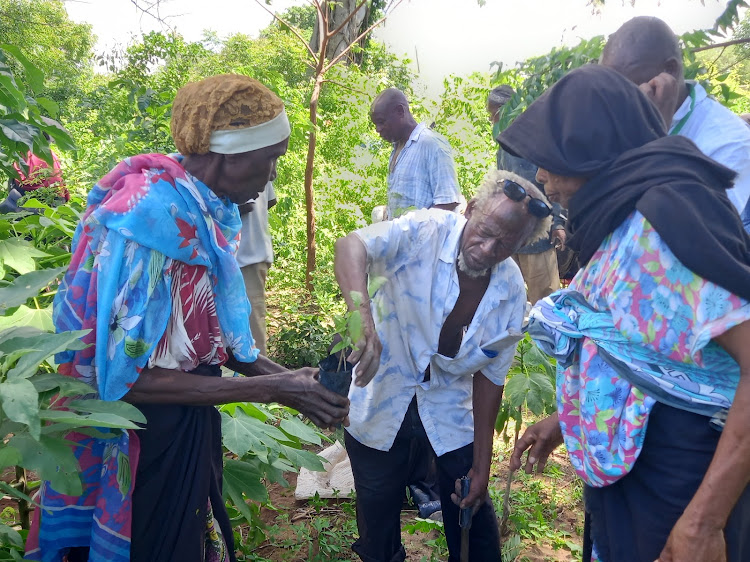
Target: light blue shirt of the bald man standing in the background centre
x=423, y=174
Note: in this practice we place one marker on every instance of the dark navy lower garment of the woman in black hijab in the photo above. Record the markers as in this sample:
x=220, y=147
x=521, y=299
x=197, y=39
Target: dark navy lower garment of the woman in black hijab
x=630, y=520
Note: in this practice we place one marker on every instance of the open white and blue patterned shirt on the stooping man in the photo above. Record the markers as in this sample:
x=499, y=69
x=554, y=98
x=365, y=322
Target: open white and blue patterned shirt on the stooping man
x=417, y=254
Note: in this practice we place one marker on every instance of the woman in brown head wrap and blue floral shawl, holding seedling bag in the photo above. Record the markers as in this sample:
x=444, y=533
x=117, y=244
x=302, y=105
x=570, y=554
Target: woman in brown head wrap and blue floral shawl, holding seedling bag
x=154, y=278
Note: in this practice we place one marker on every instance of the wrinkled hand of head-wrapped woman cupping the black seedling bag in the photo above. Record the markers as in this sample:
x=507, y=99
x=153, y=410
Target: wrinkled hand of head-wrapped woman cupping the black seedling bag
x=303, y=392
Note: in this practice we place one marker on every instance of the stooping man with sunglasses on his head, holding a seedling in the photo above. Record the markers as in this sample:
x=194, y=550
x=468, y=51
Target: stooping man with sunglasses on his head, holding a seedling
x=440, y=335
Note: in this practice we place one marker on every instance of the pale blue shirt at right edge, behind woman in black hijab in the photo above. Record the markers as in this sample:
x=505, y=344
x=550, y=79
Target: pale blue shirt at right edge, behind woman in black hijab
x=721, y=135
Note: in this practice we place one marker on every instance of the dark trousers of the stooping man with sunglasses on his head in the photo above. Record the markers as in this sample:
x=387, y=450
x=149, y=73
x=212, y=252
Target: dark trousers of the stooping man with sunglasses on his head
x=380, y=478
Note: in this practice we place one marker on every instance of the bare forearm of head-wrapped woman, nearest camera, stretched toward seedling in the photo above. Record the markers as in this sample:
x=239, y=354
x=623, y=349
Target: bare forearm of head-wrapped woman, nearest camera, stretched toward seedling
x=169, y=386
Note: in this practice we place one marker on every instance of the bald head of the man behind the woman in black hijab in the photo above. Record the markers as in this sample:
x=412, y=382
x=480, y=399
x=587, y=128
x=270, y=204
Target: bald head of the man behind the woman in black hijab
x=643, y=48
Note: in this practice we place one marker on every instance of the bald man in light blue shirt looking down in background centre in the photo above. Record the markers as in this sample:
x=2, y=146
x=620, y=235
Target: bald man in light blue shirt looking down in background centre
x=421, y=173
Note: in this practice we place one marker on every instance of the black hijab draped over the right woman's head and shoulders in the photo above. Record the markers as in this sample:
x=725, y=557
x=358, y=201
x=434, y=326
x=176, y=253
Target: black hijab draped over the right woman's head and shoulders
x=594, y=123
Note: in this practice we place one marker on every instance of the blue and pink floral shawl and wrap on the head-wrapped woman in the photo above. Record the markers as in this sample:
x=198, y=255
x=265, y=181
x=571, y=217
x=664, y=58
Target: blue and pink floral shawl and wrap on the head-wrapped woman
x=142, y=218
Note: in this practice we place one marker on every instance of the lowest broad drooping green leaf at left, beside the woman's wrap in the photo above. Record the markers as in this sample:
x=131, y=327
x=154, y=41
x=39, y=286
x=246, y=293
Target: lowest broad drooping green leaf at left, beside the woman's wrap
x=52, y=459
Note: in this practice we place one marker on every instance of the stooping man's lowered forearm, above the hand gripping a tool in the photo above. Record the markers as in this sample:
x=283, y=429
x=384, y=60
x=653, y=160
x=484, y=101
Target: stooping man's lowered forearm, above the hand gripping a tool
x=486, y=400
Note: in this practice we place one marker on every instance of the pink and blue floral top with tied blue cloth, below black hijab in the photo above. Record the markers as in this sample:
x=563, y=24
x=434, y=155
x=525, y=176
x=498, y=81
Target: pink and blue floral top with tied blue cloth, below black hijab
x=649, y=313
